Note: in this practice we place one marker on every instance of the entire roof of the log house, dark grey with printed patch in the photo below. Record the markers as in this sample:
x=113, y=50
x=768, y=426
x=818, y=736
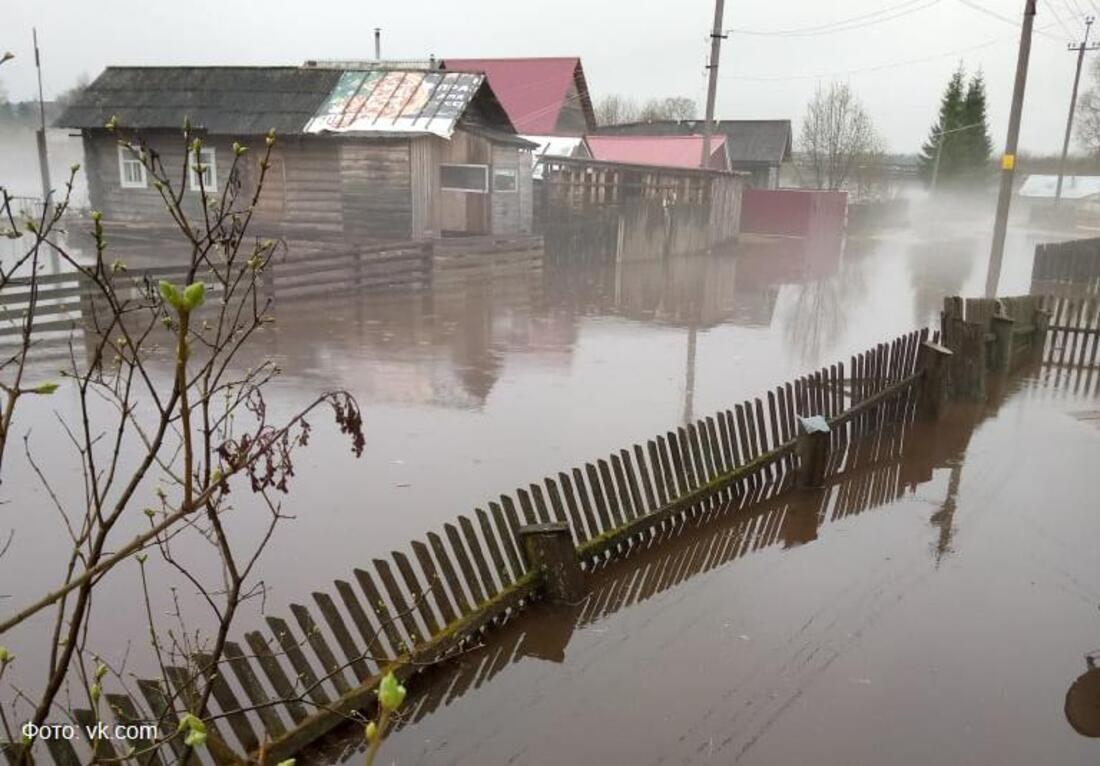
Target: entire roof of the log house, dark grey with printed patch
x=252, y=101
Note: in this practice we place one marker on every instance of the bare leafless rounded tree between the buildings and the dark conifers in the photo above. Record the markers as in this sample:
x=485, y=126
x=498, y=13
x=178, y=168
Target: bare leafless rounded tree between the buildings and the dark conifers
x=837, y=137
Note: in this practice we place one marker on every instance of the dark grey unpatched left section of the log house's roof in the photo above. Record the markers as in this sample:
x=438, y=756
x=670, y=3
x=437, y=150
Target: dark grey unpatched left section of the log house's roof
x=233, y=101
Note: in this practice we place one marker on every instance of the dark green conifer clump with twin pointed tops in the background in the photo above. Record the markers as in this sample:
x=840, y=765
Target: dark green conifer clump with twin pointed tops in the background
x=964, y=129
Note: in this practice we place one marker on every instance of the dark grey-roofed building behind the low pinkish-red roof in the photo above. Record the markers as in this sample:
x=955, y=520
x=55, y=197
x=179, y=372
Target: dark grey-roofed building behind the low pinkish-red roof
x=756, y=147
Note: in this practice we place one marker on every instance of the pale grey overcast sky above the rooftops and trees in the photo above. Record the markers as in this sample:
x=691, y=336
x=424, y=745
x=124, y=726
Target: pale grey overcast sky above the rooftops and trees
x=898, y=58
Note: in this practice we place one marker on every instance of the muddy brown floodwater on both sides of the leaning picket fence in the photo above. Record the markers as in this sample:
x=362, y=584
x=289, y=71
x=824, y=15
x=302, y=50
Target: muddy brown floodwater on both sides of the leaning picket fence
x=780, y=654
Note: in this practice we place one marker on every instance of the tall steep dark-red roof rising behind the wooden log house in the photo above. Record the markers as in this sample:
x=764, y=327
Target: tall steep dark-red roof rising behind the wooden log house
x=532, y=91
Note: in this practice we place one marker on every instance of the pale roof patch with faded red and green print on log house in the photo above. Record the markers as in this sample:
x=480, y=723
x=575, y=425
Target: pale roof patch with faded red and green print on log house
x=397, y=102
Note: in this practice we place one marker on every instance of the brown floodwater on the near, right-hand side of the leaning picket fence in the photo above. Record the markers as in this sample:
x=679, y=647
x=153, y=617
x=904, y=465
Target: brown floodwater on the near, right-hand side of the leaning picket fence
x=929, y=609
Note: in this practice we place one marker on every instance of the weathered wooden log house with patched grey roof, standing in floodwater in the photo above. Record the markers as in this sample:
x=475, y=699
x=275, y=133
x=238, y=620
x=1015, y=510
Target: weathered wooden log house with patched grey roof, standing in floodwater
x=367, y=155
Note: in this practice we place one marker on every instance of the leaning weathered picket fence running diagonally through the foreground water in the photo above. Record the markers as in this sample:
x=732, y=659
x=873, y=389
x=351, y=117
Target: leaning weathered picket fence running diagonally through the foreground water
x=299, y=681
